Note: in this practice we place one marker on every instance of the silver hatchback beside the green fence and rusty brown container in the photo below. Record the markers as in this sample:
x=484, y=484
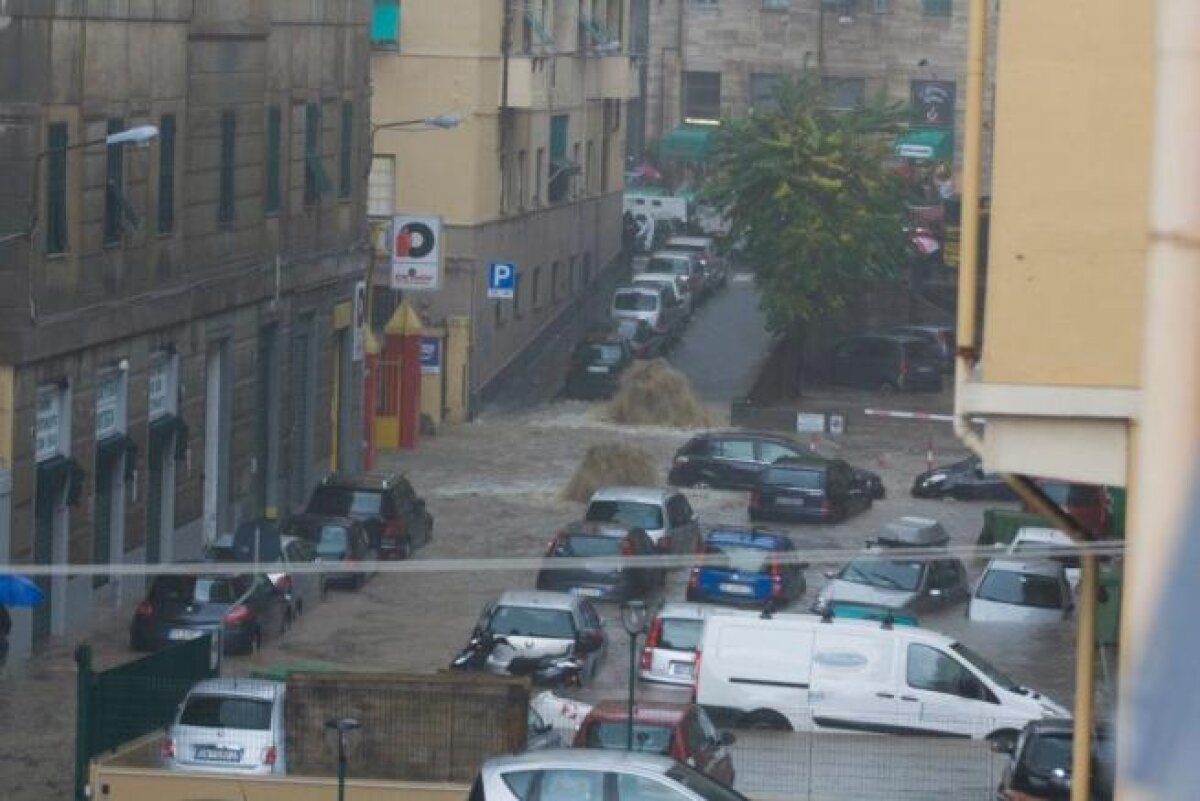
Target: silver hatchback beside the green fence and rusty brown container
x=230, y=726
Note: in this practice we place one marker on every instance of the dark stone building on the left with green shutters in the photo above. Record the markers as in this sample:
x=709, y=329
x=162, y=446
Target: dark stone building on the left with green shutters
x=177, y=352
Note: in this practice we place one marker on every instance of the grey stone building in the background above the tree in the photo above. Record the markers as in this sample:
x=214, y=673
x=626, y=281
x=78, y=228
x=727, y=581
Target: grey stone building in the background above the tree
x=722, y=58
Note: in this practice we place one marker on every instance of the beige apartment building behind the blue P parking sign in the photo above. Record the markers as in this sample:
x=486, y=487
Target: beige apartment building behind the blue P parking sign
x=531, y=177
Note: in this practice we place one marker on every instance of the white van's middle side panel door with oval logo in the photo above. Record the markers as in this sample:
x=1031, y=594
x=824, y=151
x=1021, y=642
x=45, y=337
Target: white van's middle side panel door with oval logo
x=853, y=685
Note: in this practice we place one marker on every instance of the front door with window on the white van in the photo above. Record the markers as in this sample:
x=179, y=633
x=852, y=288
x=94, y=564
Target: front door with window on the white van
x=939, y=695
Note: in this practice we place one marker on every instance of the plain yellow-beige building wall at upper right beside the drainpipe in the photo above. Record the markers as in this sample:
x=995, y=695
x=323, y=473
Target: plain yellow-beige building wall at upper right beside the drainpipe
x=1070, y=194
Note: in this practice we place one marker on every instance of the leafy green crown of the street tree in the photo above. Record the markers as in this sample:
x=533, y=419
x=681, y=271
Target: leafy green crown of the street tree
x=809, y=198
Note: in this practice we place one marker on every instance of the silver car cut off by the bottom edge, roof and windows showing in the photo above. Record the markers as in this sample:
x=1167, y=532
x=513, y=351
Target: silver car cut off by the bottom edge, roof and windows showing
x=581, y=775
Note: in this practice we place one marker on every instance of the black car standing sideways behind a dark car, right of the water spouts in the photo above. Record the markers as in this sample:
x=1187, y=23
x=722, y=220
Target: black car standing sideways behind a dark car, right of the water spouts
x=734, y=460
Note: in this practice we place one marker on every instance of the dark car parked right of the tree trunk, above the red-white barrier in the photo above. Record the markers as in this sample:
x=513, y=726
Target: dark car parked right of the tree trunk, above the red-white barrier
x=885, y=363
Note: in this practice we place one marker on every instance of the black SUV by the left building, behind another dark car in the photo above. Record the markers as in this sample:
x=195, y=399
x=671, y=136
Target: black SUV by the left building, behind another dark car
x=387, y=505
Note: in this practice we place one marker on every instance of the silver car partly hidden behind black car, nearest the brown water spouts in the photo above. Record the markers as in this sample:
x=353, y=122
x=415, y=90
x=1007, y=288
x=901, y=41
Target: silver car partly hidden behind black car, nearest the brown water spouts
x=665, y=515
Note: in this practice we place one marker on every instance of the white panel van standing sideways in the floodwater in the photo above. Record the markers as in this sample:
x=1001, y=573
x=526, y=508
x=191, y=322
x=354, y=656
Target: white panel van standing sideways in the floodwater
x=802, y=672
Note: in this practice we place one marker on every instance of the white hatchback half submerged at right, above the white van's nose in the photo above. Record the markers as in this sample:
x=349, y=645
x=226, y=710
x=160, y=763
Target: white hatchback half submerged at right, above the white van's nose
x=1013, y=591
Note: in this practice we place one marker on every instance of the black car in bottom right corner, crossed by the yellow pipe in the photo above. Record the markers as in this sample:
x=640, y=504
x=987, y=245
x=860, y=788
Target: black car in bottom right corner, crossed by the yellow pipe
x=1040, y=766
